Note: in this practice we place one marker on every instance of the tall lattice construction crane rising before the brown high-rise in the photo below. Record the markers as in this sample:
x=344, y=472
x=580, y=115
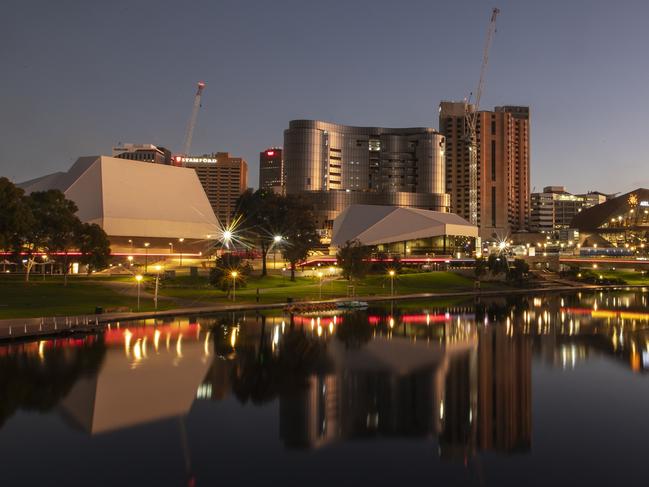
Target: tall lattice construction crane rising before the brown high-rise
x=470, y=122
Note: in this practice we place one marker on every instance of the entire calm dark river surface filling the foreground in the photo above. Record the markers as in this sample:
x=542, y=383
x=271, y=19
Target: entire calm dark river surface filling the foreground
x=548, y=390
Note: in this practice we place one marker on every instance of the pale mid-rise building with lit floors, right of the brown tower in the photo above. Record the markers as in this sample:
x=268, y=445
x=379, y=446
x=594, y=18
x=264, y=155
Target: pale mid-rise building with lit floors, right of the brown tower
x=554, y=209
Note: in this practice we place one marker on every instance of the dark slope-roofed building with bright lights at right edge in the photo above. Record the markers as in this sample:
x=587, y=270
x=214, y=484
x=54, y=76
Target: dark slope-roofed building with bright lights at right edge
x=619, y=222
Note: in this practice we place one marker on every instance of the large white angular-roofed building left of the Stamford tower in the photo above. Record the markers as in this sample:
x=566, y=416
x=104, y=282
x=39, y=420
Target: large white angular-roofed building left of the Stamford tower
x=134, y=199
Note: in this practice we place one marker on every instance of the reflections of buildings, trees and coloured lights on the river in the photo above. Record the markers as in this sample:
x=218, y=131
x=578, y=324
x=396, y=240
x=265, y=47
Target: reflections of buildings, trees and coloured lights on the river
x=458, y=376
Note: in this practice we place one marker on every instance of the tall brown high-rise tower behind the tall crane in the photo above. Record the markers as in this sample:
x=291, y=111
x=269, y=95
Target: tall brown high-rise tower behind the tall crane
x=503, y=140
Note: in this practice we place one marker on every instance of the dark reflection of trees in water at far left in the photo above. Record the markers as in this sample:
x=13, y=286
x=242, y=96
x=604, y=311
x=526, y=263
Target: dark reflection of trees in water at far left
x=31, y=383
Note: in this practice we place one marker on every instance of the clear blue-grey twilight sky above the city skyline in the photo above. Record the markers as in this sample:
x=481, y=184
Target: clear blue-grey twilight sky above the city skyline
x=76, y=77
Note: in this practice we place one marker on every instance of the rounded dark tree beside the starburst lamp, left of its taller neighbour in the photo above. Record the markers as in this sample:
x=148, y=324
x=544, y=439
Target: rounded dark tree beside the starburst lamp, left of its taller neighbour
x=263, y=216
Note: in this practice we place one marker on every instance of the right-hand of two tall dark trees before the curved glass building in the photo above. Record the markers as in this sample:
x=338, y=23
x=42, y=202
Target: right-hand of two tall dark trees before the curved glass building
x=299, y=231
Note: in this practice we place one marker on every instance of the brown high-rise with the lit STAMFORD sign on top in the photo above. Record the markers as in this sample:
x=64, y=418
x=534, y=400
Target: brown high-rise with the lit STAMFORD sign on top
x=223, y=177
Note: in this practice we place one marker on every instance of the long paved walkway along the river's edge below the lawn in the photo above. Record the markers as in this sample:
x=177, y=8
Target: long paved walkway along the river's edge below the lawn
x=31, y=328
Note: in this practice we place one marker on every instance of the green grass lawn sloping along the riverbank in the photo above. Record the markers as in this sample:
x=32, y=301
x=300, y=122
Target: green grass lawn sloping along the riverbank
x=83, y=294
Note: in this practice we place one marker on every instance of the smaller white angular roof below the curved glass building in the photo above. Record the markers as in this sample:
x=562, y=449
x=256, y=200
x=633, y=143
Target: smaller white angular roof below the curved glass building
x=374, y=225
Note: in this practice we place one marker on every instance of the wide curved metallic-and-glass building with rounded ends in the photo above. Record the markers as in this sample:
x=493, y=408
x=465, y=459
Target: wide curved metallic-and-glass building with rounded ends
x=332, y=166
